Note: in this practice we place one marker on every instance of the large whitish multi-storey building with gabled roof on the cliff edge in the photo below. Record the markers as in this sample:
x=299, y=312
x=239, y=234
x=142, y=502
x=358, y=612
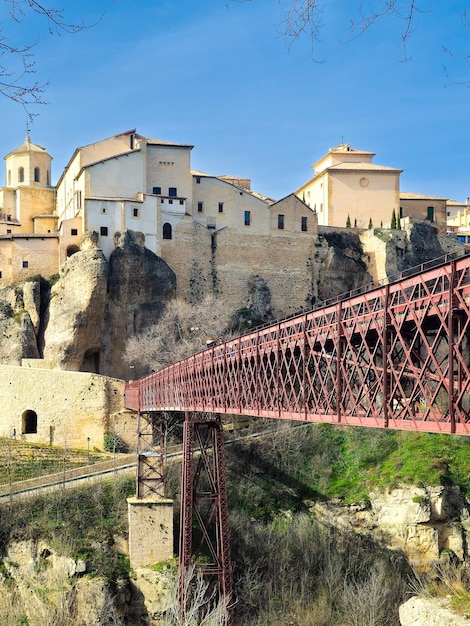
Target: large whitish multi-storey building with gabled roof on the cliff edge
x=134, y=182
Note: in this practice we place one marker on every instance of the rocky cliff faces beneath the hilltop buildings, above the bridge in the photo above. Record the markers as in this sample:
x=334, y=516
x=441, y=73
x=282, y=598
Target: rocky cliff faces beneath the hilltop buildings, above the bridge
x=82, y=322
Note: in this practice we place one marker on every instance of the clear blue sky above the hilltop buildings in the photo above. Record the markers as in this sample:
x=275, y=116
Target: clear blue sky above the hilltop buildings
x=218, y=75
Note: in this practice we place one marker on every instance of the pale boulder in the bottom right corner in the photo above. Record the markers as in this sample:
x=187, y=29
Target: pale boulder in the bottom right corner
x=429, y=612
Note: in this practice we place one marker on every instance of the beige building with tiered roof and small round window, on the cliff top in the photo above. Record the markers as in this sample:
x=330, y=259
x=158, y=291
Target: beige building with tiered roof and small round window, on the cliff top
x=348, y=188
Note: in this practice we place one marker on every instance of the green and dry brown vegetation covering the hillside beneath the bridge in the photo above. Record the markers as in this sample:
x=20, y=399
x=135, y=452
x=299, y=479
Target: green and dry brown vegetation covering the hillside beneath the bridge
x=287, y=569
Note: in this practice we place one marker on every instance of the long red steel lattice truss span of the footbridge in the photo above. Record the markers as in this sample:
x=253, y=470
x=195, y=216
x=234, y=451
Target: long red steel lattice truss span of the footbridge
x=394, y=357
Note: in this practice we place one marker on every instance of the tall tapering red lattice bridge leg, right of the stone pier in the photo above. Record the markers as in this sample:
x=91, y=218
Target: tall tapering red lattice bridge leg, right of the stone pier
x=204, y=528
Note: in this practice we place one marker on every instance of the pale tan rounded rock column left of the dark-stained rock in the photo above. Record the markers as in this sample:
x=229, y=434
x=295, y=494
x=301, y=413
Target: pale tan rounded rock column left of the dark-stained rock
x=74, y=332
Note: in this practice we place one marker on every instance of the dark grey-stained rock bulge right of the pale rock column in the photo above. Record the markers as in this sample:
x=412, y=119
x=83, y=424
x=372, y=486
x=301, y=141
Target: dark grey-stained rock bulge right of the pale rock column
x=139, y=285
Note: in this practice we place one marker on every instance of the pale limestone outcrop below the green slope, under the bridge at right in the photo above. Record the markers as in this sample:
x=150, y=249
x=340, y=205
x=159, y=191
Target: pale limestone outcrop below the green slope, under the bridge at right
x=426, y=523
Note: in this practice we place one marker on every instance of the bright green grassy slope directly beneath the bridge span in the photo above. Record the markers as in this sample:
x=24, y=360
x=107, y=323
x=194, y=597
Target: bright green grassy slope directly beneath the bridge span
x=345, y=463
